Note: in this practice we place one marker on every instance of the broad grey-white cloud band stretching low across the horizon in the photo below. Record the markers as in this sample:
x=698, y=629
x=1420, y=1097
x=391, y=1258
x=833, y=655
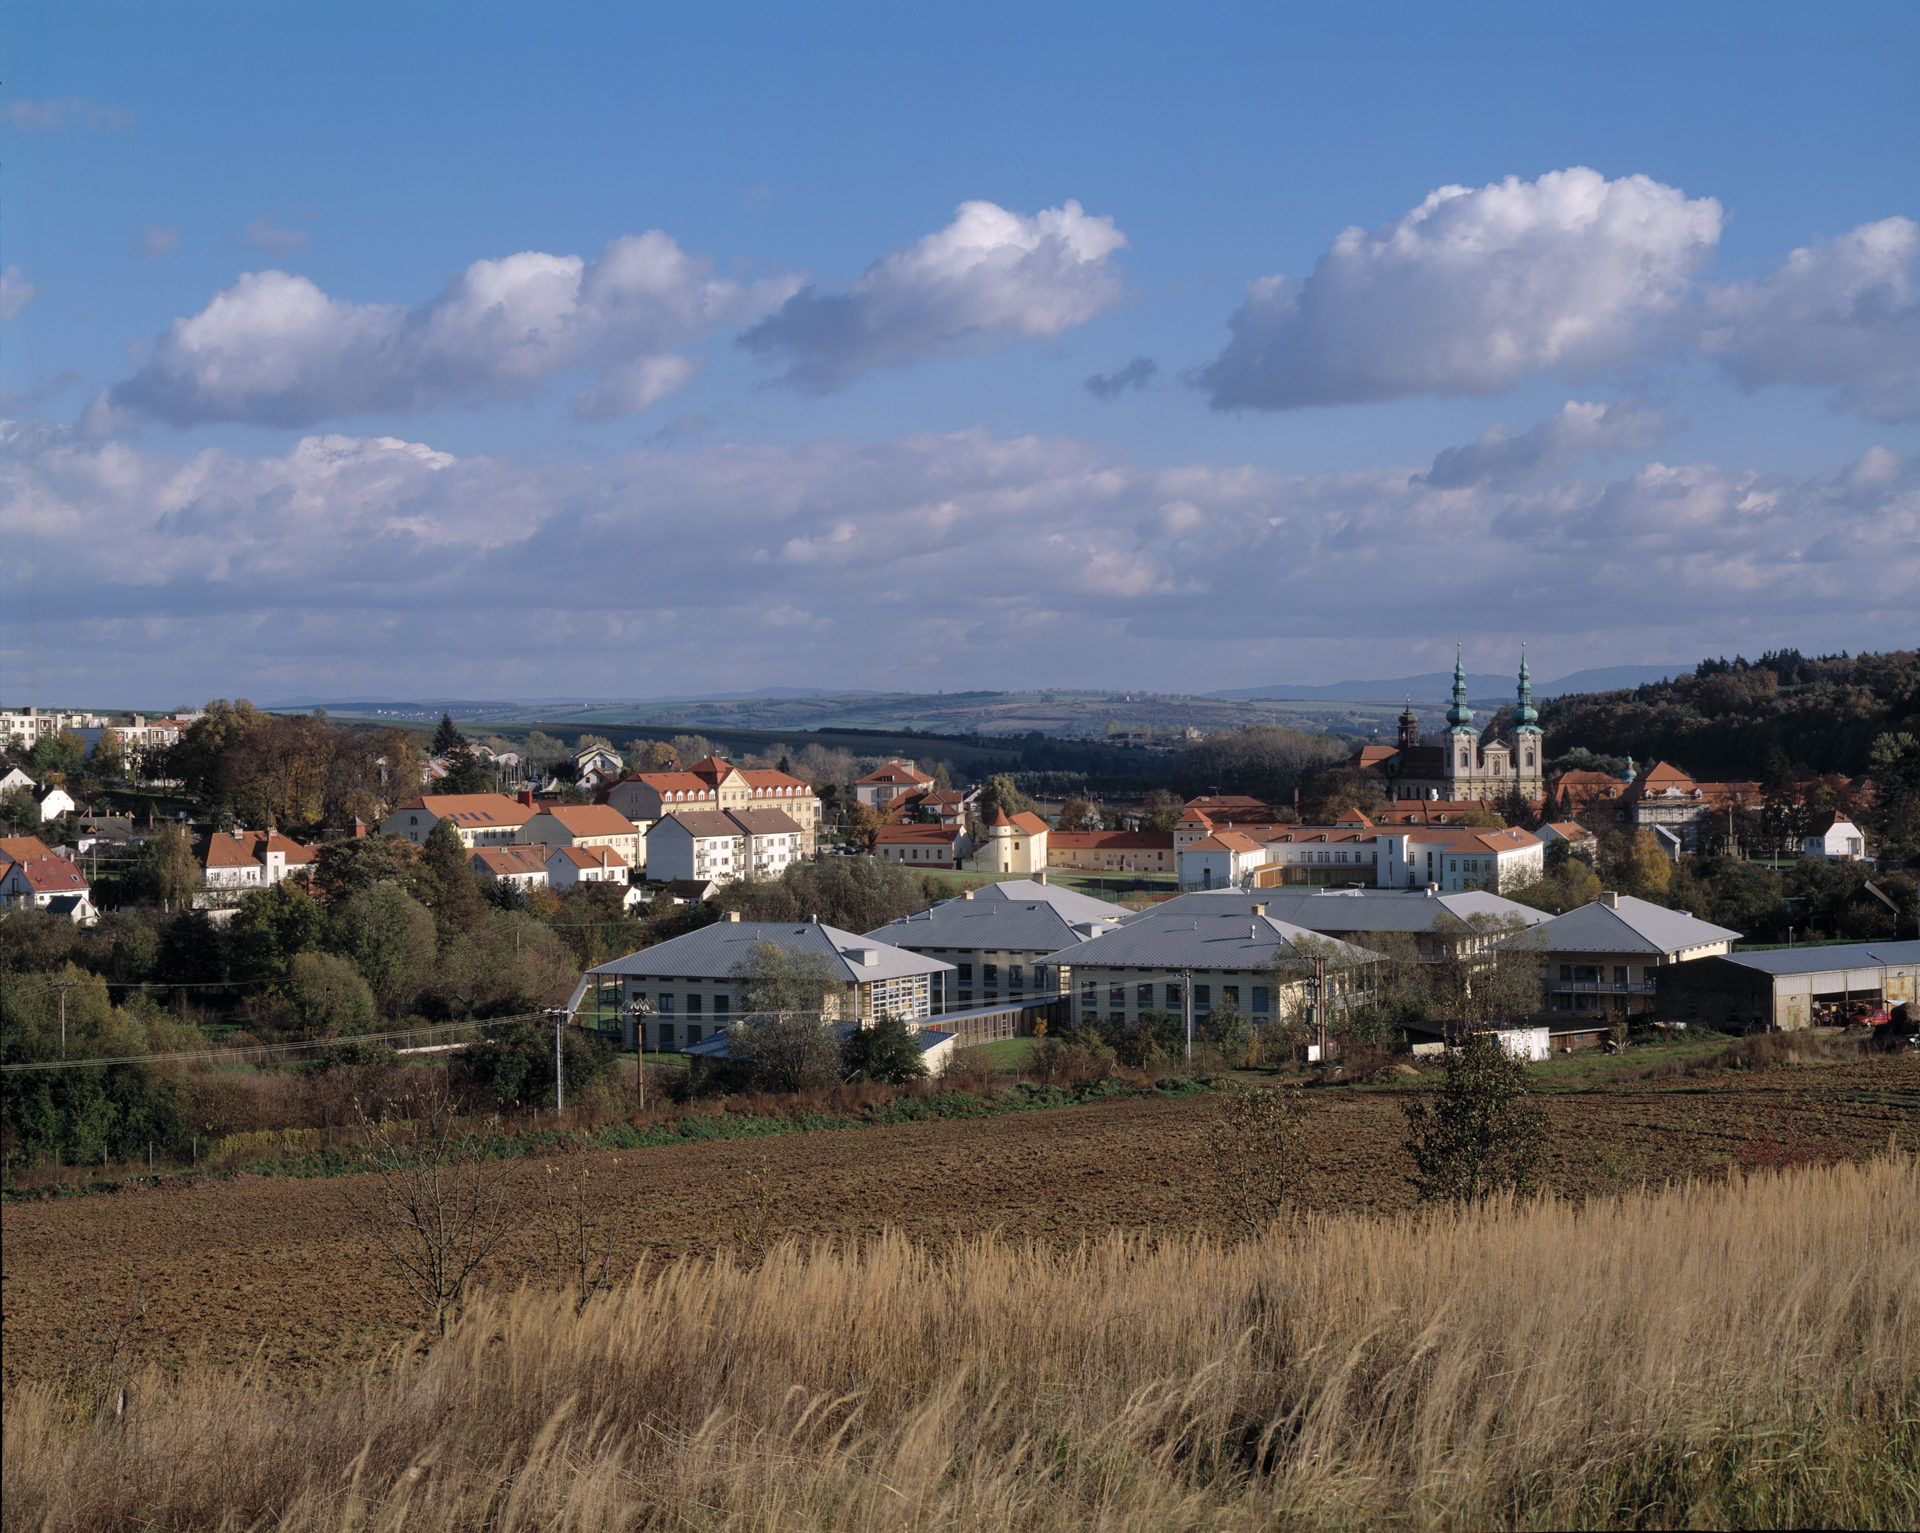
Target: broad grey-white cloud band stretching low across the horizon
x=383, y=566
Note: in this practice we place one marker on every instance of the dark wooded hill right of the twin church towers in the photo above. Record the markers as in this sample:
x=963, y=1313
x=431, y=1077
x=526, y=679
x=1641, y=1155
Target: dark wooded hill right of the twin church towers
x=1723, y=721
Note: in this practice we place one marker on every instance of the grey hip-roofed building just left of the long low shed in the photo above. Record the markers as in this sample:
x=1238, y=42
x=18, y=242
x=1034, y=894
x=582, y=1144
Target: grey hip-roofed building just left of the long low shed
x=1604, y=958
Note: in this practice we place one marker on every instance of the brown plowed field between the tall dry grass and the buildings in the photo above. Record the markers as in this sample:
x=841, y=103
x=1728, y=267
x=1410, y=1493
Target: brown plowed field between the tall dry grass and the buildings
x=281, y=1271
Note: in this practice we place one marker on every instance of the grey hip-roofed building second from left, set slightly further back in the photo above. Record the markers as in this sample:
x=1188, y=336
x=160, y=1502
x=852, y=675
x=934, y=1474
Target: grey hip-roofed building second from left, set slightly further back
x=1003, y=942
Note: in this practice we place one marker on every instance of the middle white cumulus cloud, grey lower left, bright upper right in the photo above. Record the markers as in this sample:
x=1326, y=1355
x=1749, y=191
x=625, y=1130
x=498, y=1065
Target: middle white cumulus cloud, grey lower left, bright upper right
x=986, y=278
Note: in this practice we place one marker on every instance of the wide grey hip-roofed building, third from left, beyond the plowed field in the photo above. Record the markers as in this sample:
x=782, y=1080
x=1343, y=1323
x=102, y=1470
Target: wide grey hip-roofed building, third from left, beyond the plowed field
x=1241, y=960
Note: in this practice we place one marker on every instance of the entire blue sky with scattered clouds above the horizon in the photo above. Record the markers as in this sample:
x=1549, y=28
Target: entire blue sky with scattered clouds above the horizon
x=612, y=351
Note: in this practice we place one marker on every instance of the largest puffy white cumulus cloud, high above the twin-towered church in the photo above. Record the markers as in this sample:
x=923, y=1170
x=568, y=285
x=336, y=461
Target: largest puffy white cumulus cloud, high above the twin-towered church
x=1472, y=293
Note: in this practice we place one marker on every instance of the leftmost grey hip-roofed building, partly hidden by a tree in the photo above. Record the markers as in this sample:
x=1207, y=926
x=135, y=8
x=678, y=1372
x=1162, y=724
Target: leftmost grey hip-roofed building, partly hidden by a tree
x=696, y=985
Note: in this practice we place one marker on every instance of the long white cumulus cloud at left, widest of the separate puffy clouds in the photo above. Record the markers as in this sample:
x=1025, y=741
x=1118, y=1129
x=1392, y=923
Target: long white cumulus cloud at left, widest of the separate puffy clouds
x=277, y=351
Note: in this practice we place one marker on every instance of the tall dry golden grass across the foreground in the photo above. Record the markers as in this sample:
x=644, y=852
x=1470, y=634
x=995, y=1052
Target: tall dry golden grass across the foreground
x=1712, y=1355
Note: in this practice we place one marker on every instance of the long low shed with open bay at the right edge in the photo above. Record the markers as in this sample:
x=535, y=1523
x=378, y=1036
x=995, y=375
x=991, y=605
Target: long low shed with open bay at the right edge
x=1790, y=988
